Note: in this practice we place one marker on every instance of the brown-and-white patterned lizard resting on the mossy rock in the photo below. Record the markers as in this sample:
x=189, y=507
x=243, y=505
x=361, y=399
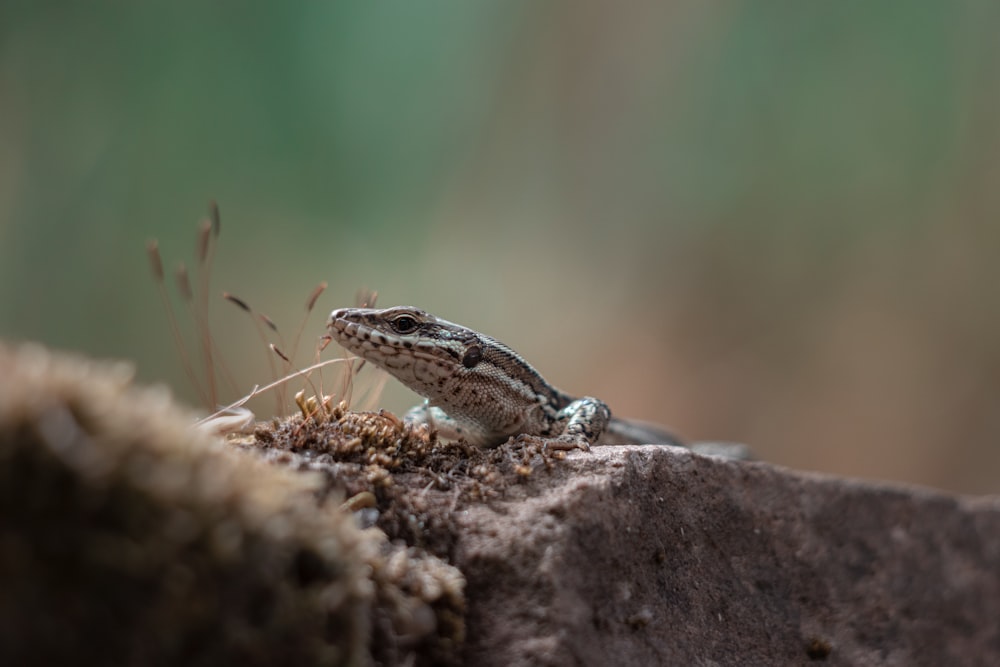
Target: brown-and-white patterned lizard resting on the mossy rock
x=479, y=389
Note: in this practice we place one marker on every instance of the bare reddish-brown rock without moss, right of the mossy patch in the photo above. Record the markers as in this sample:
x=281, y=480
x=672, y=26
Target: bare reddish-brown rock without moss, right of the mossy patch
x=643, y=556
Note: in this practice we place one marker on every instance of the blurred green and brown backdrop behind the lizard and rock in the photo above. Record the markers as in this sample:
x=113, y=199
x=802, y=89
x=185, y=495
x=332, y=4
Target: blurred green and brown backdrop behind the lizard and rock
x=775, y=224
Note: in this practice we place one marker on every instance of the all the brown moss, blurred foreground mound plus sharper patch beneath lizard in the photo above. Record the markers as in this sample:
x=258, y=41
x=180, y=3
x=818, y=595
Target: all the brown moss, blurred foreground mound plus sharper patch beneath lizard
x=129, y=537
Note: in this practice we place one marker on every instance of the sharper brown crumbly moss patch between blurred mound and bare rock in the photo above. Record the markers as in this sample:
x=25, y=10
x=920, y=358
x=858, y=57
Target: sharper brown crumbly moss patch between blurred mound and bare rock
x=410, y=486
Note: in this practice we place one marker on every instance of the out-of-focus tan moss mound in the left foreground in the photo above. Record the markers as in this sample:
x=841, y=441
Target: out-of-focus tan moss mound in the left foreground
x=128, y=538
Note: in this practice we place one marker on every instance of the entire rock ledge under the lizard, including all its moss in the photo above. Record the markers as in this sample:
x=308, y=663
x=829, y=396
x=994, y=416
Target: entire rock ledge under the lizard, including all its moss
x=128, y=538
